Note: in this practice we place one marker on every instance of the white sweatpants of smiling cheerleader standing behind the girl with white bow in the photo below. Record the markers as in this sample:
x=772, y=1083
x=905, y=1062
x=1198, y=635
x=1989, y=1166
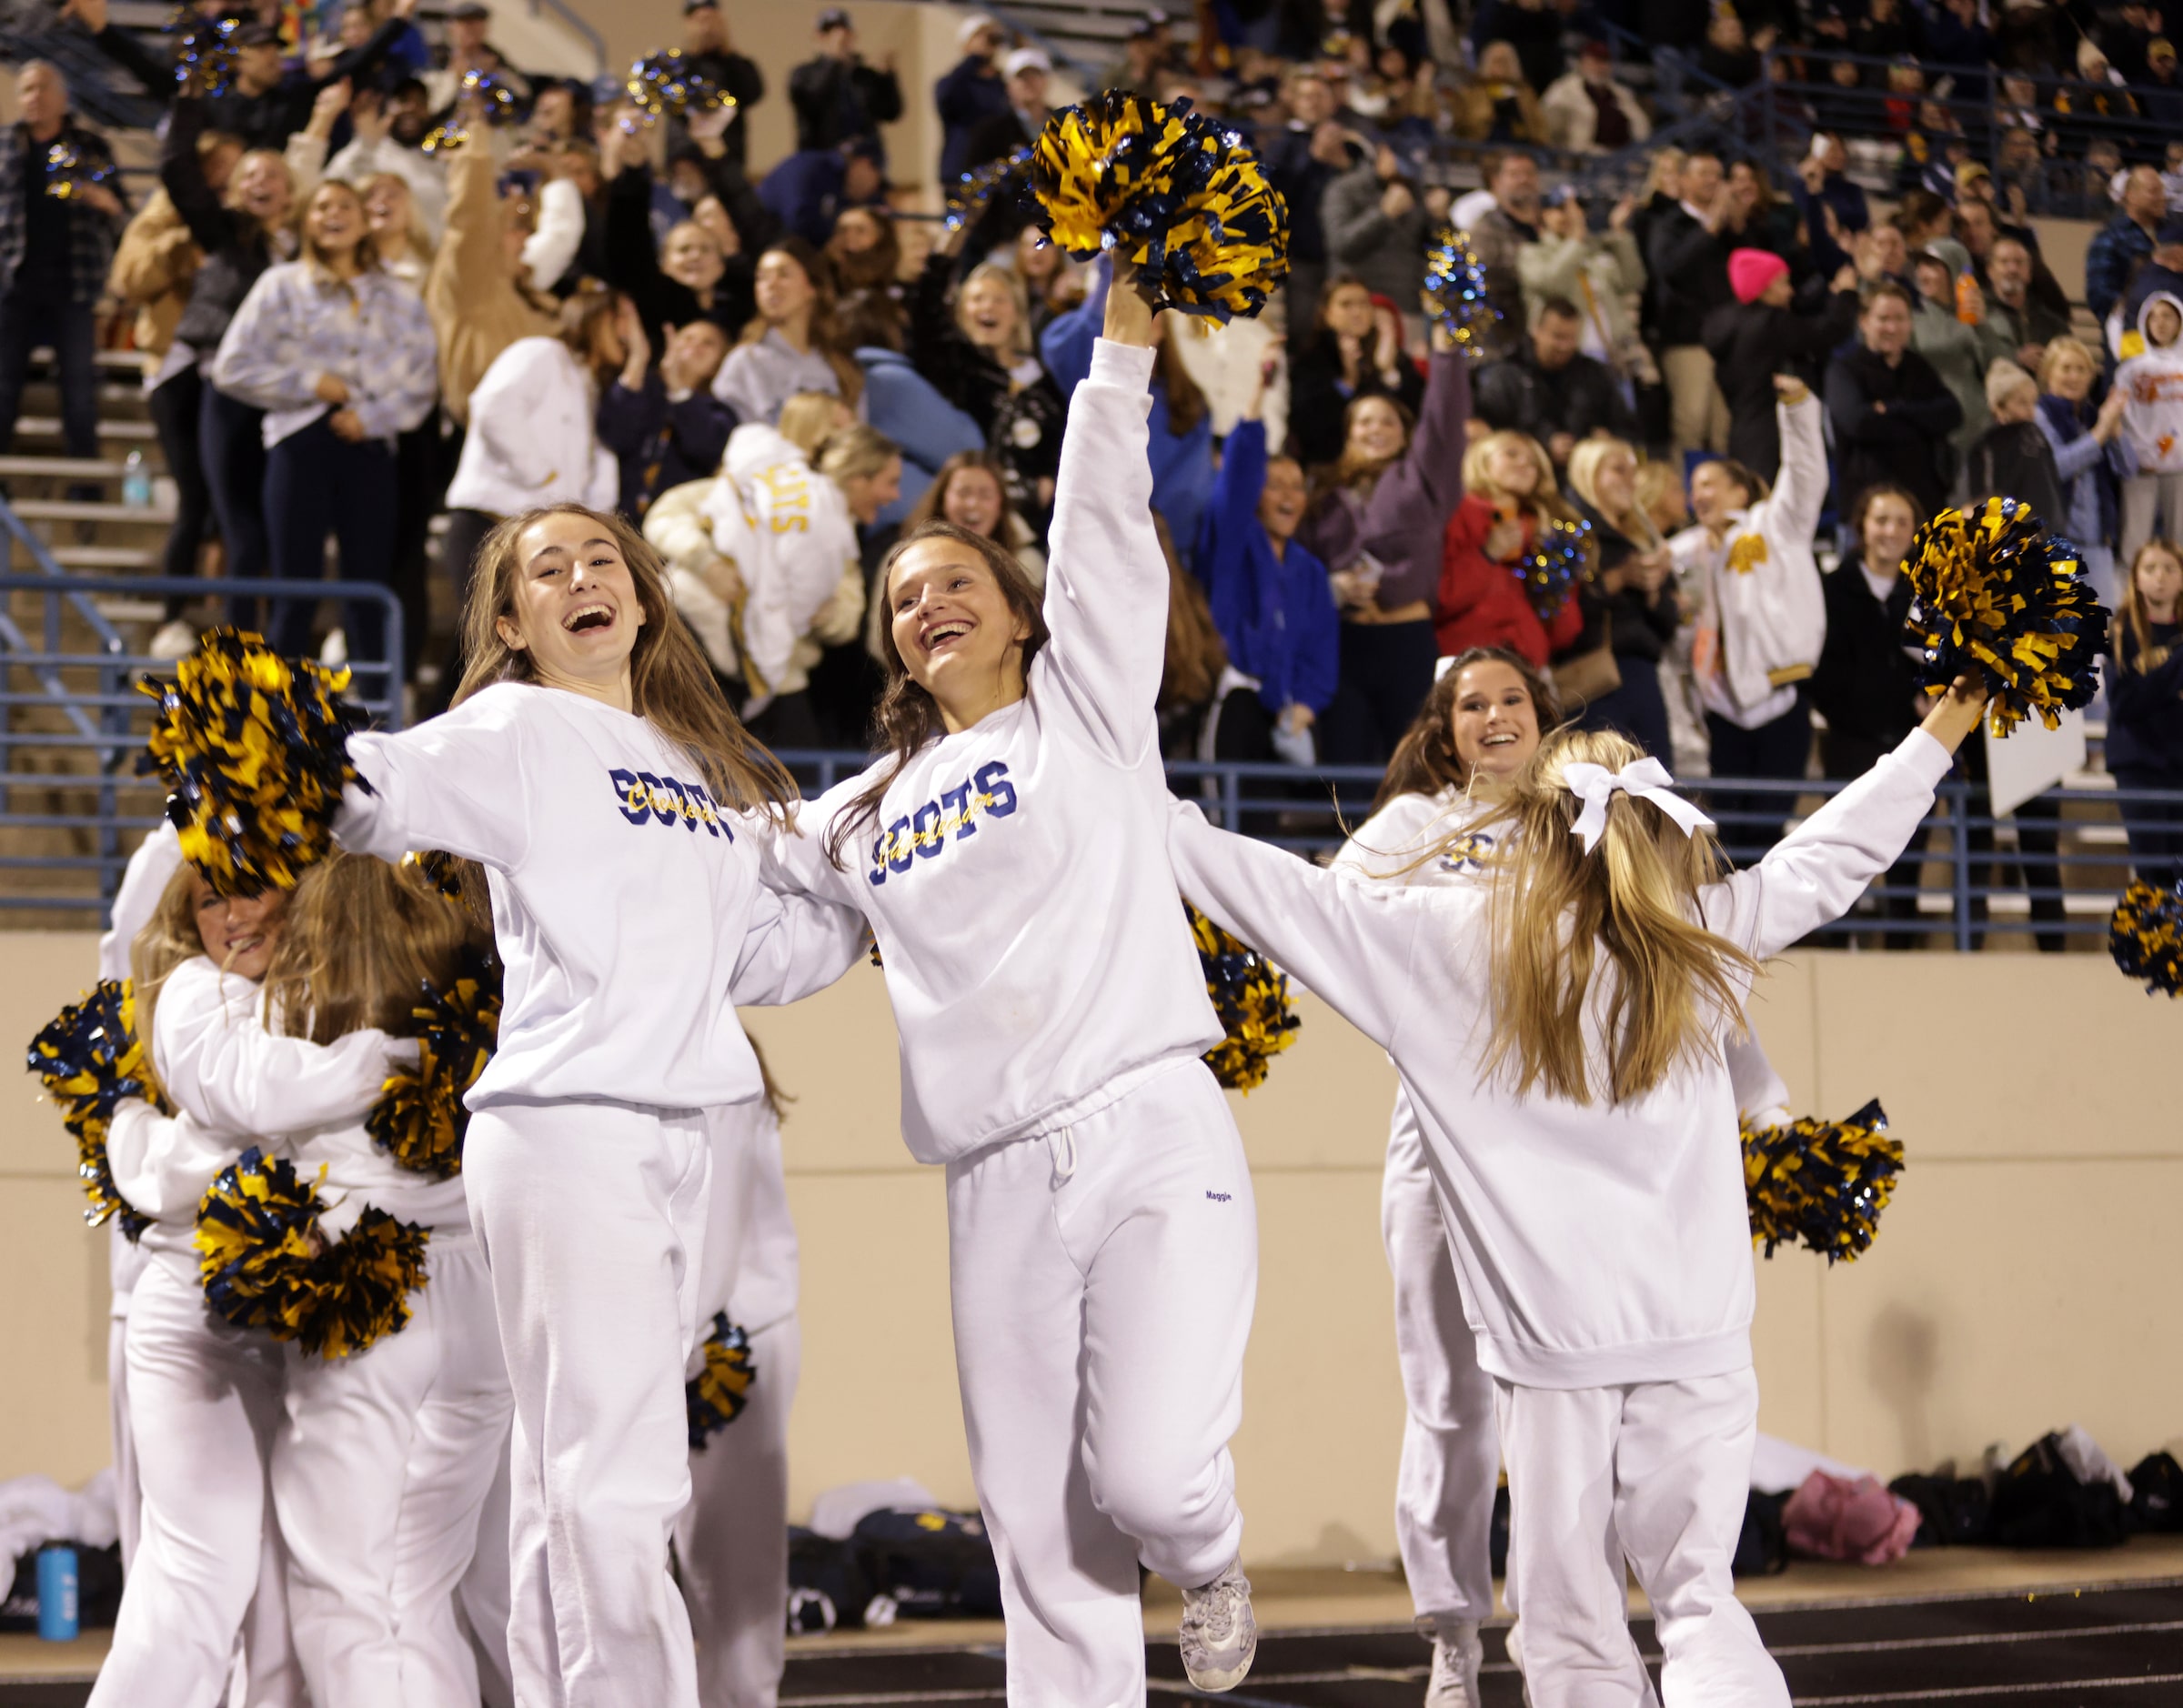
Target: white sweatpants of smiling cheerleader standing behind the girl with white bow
x=1451, y=1449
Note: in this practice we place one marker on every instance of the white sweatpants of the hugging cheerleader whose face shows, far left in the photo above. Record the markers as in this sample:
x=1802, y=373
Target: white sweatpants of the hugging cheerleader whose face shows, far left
x=204, y=1405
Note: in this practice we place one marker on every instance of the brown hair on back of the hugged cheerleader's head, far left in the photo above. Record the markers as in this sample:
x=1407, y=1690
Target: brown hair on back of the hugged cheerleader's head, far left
x=361, y=945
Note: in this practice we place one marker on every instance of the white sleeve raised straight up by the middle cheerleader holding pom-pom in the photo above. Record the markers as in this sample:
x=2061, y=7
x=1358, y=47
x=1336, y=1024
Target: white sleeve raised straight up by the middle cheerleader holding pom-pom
x=1108, y=580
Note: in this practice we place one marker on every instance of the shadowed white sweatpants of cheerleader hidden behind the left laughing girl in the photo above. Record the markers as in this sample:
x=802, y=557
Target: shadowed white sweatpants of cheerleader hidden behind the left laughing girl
x=732, y=1539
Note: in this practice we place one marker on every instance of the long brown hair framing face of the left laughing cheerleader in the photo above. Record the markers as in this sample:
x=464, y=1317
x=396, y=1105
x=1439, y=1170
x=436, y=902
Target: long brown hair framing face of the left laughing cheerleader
x=669, y=683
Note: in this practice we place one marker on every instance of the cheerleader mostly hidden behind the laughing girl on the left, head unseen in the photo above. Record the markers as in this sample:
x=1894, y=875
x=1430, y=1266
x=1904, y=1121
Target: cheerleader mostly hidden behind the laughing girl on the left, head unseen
x=732, y=1539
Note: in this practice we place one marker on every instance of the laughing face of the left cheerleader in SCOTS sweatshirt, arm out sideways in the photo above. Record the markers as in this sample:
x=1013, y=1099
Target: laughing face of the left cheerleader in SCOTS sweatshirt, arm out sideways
x=573, y=604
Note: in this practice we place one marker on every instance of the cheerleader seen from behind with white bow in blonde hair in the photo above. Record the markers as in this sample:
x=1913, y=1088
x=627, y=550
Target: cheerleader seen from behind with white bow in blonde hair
x=1582, y=1132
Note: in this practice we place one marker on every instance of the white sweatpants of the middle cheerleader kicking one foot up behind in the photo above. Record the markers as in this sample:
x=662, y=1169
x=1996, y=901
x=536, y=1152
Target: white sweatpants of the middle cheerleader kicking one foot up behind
x=1104, y=1283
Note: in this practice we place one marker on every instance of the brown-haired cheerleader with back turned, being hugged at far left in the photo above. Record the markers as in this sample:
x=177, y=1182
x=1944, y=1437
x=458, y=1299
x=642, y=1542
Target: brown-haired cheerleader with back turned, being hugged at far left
x=385, y=1456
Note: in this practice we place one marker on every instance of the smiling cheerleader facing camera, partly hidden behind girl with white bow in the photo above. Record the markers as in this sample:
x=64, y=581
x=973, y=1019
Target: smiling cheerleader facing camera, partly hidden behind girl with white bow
x=1472, y=737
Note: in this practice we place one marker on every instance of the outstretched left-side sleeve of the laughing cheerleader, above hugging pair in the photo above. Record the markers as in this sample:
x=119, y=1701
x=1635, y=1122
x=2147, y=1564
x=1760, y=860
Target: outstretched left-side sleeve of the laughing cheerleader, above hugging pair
x=457, y=783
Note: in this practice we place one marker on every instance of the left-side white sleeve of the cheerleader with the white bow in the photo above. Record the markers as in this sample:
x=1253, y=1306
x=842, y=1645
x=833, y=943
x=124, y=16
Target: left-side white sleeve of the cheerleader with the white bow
x=1348, y=940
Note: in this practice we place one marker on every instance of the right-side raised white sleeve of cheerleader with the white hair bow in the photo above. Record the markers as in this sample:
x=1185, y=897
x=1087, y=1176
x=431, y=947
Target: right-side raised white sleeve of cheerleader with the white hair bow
x=1822, y=868
